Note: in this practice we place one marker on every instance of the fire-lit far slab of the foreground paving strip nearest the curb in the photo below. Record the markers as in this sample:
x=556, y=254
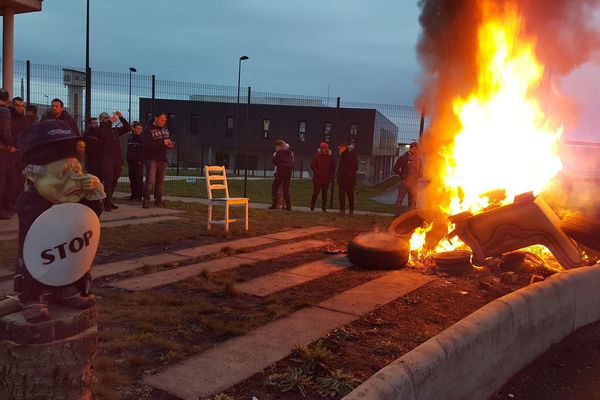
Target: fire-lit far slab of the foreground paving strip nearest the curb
x=371, y=295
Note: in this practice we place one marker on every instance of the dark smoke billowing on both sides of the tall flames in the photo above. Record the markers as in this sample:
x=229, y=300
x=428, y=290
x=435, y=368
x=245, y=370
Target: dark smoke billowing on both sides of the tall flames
x=566, y=36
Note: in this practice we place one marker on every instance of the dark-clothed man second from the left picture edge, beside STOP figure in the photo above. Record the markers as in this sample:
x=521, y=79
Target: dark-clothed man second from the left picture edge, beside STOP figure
x=14, y=179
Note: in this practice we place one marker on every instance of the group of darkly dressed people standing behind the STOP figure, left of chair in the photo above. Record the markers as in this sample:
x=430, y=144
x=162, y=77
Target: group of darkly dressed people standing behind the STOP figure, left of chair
x=146, y=149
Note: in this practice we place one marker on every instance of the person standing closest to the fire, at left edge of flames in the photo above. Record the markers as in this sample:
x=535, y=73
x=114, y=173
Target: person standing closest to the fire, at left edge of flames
x=409, y=168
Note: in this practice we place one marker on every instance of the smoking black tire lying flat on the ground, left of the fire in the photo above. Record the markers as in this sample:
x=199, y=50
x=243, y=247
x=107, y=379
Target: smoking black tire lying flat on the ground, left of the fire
x=378, y=251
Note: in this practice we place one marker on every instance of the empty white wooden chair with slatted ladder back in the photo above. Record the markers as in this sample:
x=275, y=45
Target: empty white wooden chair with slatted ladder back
x=218, y=181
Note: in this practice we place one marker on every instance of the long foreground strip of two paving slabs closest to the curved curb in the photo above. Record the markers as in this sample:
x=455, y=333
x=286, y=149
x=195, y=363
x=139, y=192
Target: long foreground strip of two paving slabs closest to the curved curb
x=231, y=362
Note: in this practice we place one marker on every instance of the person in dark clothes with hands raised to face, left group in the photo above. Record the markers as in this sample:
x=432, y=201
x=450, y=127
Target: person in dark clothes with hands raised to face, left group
x=110, y=151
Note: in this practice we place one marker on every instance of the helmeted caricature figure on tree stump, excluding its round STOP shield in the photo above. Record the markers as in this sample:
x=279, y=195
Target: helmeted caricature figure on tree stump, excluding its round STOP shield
x=51, y=153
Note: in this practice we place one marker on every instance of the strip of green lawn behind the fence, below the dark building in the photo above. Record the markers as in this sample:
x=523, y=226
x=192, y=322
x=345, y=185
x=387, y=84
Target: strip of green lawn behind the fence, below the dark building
x=259, y=191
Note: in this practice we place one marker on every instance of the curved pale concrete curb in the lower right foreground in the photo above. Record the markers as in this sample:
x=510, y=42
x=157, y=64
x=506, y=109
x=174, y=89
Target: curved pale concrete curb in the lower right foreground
x=475, y=357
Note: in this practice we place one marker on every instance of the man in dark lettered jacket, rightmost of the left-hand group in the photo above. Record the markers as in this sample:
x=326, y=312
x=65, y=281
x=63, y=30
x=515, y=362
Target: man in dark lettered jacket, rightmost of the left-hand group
x=156, y=141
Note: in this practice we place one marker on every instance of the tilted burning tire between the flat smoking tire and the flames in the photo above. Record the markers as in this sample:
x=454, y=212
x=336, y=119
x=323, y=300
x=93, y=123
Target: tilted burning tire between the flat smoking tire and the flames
x=405, y=225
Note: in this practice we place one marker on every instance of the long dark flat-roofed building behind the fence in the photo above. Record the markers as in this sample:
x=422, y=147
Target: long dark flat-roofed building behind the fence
x=240, y=136
